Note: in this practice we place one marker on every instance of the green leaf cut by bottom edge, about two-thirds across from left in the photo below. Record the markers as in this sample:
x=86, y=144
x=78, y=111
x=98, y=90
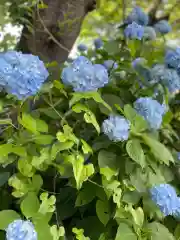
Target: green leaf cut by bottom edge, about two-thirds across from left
x=125, y=232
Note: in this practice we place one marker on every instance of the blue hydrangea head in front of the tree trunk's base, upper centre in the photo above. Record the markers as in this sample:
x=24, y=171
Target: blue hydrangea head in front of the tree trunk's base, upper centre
x=83, y=76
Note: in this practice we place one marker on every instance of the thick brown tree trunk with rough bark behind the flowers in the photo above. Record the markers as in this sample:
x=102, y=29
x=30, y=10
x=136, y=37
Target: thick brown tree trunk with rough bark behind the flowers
x=55, y=29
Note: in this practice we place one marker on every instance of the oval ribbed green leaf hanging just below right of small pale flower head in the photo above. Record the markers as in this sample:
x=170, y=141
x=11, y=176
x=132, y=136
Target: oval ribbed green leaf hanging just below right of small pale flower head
x=135, y=152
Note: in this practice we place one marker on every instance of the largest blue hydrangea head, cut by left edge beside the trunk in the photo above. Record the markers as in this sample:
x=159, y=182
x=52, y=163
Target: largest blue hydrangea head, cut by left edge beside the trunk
x=21, y=74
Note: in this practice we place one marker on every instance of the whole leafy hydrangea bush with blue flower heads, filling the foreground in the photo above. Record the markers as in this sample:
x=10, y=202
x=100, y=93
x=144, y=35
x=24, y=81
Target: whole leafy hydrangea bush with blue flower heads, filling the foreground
x=95, y=153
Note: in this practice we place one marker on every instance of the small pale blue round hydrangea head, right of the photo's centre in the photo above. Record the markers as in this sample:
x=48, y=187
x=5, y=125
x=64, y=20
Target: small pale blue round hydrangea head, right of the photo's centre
x=116, y=128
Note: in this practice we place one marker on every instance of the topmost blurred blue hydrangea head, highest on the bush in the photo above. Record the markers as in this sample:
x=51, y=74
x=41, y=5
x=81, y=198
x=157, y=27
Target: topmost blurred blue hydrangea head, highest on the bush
x=139, y=16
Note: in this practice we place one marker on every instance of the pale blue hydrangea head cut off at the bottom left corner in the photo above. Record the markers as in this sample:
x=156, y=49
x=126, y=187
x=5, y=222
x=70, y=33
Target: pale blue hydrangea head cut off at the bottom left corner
x=21, y=230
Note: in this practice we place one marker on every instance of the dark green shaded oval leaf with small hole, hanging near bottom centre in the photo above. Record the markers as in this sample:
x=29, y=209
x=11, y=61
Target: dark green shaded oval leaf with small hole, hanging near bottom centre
x=102, y=210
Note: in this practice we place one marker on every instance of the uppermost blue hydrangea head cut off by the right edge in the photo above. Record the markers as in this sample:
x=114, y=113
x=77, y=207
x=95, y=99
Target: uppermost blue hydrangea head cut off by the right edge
x=172, y=59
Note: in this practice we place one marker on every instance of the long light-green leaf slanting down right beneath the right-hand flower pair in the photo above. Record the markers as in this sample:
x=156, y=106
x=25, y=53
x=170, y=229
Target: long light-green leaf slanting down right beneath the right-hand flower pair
x=158, y=150
